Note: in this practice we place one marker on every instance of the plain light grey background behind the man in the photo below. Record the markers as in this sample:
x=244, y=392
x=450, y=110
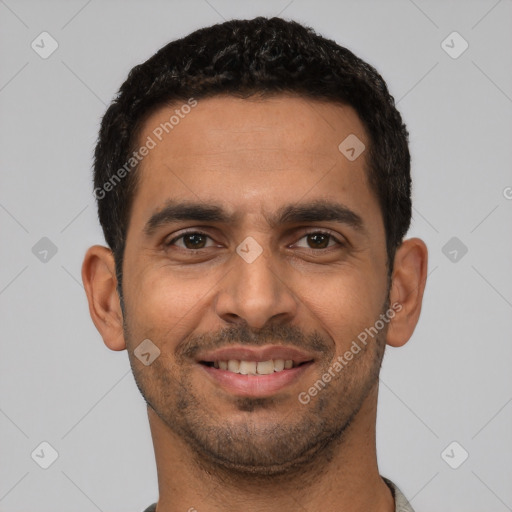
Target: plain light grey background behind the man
x=60, y=384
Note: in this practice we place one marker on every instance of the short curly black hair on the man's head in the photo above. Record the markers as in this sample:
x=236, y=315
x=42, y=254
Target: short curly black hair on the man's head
x=245, y=58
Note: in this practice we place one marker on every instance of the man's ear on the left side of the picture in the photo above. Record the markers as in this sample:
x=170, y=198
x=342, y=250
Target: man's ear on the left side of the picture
x=100, y=282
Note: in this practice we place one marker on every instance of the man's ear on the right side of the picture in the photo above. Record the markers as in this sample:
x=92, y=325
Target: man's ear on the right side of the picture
x=407, y=287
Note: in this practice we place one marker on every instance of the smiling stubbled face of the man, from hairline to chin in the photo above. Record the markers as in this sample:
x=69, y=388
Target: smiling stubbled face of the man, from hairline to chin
x=255, y=246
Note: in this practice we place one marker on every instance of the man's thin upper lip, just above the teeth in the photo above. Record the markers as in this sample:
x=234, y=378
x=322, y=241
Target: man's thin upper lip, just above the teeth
x=256, y=354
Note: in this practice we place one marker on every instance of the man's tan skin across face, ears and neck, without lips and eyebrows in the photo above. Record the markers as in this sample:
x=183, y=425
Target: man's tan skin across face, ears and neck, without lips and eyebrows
x=215, y=449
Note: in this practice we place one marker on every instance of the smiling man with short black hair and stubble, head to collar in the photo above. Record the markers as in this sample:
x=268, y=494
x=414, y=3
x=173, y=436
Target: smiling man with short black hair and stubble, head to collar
x=253, y=185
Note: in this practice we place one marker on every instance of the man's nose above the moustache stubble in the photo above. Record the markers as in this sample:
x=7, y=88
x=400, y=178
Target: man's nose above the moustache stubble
x=255, y=293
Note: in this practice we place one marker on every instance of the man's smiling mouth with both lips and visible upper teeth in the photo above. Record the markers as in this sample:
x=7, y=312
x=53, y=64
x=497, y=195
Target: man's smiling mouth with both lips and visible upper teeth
x=255, y=371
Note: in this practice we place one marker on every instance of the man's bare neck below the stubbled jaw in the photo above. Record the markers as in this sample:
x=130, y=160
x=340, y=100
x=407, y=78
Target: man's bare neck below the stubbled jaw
x=342, y=477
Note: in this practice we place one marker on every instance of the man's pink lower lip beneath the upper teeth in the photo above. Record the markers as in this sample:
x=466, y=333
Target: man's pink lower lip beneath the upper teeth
x=255, y=385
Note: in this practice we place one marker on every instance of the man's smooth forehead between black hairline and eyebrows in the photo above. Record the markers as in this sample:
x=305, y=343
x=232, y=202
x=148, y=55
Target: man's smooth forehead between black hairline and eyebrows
x=251, y=154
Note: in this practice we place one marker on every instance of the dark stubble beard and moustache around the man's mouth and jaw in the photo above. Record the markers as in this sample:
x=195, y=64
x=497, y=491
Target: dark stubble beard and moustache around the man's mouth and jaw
x=267, y=437
